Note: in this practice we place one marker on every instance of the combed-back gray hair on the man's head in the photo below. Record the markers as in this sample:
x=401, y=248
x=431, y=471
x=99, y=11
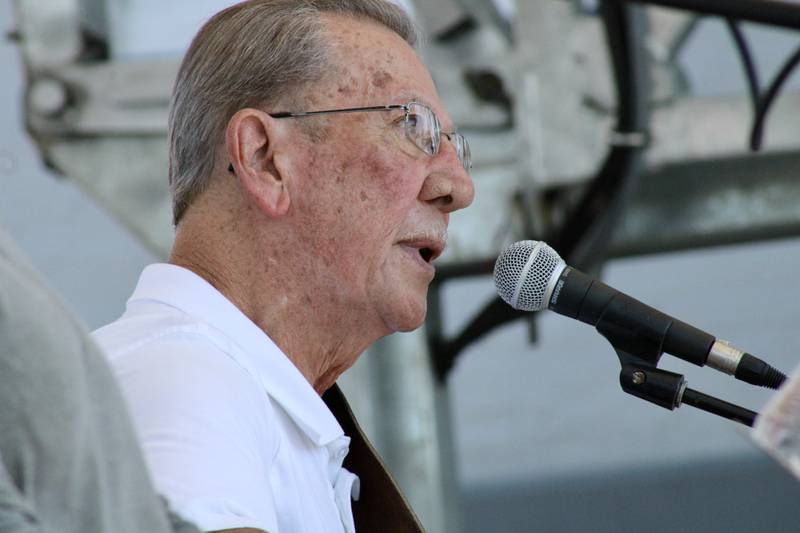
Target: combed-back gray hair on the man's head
x=254, y=54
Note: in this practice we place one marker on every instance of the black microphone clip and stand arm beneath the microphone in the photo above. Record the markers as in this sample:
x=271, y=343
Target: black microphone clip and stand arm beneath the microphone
x=639, y=376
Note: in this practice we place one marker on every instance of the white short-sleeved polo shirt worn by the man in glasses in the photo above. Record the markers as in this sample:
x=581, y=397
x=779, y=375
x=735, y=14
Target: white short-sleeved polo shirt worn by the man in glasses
x=232, y=432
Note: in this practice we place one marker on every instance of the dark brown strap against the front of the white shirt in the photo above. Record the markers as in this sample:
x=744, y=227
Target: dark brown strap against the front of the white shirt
x=381, y=506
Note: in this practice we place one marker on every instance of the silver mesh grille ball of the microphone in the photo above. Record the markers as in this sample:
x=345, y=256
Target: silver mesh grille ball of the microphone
x=524, y=274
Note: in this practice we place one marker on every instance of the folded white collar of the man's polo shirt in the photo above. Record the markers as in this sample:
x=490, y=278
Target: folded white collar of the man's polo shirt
x=186, y=291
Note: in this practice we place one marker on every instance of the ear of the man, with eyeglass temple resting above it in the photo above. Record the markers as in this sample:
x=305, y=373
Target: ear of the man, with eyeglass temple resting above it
x=250, y=141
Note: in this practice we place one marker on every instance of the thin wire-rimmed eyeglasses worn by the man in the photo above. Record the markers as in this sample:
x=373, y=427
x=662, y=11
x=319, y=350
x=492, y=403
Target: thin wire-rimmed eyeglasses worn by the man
x=421, y=125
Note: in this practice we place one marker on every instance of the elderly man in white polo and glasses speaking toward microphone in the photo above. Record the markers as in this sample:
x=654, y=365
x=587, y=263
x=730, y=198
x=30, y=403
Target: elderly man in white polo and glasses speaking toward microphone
x=312, y=185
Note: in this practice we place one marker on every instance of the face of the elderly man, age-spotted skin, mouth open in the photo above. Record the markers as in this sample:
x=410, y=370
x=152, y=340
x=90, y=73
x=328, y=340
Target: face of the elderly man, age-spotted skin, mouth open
x=372, y=209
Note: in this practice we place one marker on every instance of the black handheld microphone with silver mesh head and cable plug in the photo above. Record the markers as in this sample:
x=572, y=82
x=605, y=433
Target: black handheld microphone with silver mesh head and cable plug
x=531, y=276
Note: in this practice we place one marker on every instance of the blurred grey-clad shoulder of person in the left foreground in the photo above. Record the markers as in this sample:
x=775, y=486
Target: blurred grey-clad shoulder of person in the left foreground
x=66, y=437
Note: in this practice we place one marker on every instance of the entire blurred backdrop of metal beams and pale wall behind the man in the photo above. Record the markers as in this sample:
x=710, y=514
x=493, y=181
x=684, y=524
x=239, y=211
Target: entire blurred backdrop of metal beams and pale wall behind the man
x=621, y=133
